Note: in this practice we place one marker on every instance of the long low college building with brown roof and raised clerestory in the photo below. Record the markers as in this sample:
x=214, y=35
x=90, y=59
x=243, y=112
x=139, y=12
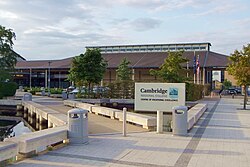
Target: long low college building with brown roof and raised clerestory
x=142, y=57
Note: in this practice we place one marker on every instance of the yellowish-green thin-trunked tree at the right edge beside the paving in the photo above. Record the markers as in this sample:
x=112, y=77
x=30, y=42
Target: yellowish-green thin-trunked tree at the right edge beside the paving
x=239, y=67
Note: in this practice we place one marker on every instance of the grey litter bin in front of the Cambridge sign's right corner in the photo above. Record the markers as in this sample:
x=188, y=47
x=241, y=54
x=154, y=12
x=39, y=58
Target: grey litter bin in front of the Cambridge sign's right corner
x=180, y=125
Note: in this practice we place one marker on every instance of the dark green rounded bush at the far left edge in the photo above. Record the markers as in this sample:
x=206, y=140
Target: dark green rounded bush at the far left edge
x=7, y=89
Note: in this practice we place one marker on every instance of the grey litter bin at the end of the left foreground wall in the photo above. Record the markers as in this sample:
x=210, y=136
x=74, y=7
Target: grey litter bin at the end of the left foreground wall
x=78, y=126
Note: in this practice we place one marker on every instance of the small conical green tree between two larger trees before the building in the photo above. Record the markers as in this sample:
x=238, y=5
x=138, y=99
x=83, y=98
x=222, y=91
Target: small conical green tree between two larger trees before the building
x=124, y=72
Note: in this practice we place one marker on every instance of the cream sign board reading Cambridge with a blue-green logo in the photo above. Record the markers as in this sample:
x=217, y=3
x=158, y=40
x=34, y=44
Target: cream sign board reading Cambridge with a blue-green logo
x=159, y=96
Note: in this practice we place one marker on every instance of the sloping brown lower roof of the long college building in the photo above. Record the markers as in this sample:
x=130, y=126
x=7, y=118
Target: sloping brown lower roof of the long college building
x=138, y=60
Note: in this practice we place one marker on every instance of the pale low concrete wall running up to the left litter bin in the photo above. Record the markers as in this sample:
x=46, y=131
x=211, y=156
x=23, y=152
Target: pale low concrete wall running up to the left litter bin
x=30, y=143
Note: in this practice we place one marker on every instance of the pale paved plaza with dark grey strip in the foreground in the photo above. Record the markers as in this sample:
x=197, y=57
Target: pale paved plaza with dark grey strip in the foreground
x=220, y=138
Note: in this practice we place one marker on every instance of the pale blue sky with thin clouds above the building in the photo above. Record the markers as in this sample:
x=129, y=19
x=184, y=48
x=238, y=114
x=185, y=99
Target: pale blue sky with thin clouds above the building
x=57, y=29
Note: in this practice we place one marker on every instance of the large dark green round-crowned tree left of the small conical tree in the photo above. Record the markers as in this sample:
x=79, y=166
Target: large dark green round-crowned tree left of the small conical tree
x=88, y=68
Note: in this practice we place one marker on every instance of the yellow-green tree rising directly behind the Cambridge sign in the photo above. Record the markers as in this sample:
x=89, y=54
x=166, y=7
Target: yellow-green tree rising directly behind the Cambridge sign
x=171, y=70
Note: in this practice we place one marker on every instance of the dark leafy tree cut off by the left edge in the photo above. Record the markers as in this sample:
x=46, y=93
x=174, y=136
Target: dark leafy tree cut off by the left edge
x=7, y=58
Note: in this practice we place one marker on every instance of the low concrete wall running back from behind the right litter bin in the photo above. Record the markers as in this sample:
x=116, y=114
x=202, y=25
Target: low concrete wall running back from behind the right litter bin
x=195, y=113
